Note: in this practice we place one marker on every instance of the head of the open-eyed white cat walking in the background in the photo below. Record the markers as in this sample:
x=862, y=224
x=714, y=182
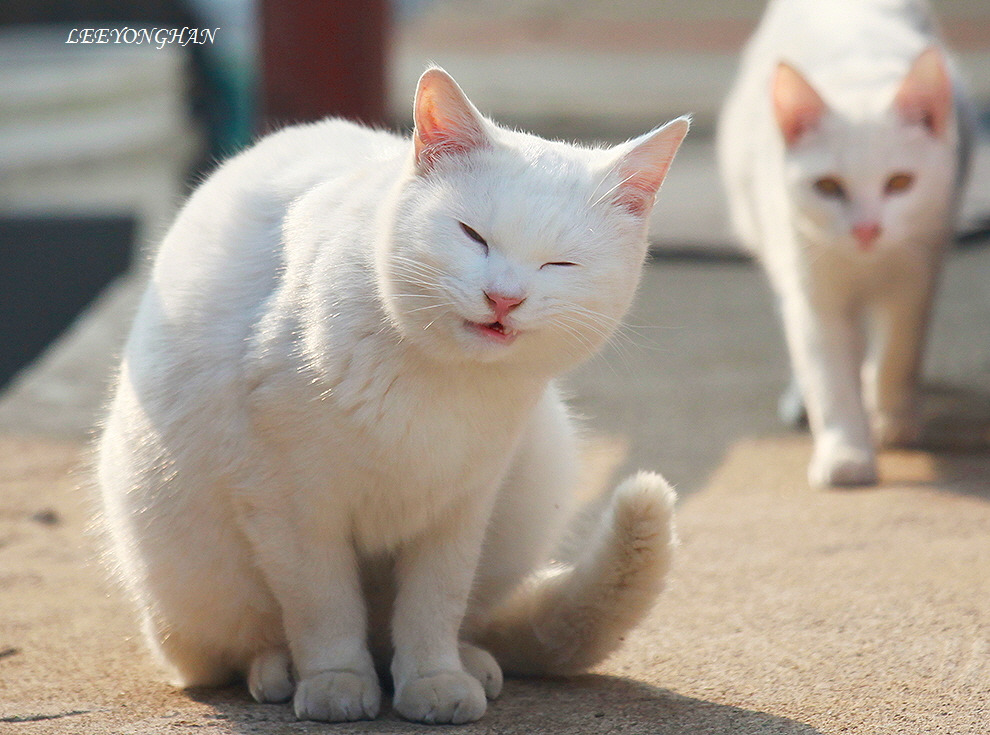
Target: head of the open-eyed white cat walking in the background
x=874, y=170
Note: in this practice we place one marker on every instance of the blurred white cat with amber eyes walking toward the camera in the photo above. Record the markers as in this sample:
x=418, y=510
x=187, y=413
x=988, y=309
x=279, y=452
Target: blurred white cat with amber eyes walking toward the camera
x=842, y=150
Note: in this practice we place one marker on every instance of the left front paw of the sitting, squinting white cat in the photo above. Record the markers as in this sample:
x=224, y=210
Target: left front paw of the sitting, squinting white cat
x=338, y=696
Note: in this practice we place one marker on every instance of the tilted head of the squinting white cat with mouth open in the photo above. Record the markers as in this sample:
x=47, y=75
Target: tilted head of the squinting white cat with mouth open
x=507, y=247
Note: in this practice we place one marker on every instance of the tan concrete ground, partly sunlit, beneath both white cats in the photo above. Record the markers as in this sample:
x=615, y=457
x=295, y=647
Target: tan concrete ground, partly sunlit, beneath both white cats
x=789, y=610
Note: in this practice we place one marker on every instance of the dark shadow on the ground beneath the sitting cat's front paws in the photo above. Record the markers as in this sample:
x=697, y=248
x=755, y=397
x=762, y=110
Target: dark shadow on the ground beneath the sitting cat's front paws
x=586, y=704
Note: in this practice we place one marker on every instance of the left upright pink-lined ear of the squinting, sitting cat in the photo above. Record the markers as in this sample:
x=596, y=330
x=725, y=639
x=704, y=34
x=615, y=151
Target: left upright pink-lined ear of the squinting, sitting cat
x=446, y=121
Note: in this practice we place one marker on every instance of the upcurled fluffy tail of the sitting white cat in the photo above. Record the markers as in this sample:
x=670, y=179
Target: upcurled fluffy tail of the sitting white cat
x=567, y=619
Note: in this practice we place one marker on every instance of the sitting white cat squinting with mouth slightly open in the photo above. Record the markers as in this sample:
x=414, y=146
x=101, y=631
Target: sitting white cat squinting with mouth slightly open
x=336, y=433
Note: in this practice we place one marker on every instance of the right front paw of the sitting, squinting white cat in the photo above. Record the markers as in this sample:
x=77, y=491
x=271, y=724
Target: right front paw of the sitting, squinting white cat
x=450, y=697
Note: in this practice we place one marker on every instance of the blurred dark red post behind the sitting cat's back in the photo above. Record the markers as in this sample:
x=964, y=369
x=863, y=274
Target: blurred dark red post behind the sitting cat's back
x=322, y=57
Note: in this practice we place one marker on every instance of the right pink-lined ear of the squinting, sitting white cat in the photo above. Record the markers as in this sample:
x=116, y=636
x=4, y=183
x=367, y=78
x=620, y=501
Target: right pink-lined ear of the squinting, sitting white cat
x=643, y=165
